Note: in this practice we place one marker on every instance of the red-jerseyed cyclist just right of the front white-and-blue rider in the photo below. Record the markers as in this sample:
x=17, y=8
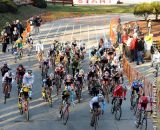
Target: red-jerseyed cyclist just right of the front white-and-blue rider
x=119, y=92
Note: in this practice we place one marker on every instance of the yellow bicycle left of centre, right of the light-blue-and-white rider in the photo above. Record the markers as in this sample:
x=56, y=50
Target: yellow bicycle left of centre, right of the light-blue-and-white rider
x=46, y=94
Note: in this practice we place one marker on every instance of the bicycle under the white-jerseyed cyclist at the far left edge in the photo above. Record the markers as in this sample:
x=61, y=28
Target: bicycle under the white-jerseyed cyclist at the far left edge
x=6, y=91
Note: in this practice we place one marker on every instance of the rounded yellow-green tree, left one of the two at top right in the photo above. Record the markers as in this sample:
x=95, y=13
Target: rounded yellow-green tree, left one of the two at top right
x=143, y=9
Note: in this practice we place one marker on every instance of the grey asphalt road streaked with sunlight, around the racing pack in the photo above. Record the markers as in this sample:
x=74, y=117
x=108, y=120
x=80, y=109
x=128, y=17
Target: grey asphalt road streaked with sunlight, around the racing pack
x=89, y=30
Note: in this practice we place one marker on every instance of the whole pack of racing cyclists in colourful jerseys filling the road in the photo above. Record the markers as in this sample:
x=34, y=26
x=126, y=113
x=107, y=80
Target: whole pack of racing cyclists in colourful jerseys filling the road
x=104, y=77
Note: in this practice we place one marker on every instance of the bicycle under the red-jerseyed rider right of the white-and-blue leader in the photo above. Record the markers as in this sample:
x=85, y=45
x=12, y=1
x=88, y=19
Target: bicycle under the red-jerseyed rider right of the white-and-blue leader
x=116, y=107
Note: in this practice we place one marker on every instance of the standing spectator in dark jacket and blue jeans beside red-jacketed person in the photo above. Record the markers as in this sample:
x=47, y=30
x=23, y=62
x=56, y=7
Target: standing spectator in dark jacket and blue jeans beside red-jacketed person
x=140, y=50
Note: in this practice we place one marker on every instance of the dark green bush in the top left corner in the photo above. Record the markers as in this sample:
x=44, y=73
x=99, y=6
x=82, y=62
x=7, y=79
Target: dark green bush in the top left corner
x=8, y=6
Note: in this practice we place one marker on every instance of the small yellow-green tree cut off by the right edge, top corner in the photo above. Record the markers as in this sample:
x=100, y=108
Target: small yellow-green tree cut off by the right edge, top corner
x=156, y=9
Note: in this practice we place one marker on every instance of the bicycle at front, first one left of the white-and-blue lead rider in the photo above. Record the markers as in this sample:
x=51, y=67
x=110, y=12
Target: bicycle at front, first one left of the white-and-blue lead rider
x=64, y=112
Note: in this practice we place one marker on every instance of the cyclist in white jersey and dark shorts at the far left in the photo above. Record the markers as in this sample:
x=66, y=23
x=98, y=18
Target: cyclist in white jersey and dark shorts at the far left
x=8, y=79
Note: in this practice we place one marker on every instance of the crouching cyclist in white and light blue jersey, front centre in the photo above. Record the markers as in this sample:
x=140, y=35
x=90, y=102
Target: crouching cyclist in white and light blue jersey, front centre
x=95, y=104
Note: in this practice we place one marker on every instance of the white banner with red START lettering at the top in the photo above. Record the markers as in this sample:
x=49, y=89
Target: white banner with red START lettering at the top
x=94, y=2
